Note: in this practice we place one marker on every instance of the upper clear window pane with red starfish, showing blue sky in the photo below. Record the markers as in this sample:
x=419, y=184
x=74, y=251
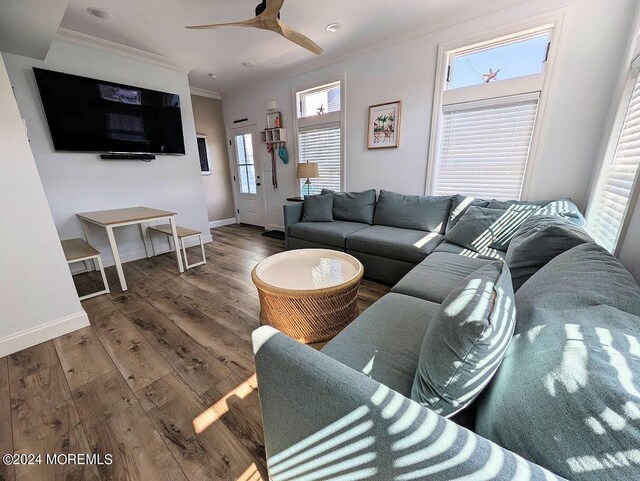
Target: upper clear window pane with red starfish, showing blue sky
x=517, y=59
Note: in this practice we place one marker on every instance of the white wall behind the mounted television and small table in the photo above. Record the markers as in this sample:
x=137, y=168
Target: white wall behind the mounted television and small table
x=81, y=182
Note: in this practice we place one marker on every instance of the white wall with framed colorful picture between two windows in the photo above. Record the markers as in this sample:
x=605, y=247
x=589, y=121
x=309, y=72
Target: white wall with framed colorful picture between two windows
x=592, y=42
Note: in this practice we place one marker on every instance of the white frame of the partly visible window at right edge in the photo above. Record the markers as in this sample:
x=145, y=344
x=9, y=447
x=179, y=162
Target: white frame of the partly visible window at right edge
x=632, y=76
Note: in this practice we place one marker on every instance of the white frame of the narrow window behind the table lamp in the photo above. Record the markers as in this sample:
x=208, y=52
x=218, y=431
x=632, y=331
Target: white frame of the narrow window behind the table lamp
x=320, y=120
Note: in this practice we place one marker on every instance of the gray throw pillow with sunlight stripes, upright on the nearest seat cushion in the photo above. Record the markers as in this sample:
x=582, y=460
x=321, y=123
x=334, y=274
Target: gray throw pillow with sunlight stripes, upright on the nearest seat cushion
x=466, y=341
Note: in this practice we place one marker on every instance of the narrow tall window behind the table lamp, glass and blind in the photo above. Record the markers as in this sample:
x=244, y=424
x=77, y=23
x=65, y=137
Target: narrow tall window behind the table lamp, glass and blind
x=320, y=135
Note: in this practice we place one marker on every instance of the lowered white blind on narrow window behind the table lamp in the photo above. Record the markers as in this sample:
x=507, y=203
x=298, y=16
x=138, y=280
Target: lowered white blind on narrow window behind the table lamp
x=322, y=145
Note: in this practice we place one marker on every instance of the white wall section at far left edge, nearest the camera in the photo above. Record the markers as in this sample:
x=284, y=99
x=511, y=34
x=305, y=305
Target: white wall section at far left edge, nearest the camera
x=38, y=300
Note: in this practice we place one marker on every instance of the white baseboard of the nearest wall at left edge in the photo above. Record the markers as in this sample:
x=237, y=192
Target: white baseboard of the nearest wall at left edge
x=45, y=332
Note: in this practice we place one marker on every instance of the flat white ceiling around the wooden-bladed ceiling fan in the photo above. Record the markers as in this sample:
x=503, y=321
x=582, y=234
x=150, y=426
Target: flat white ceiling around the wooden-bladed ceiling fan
x=157, y=26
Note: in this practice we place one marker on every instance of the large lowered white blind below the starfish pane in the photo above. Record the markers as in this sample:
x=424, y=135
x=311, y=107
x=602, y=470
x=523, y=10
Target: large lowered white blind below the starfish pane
x=484, y=147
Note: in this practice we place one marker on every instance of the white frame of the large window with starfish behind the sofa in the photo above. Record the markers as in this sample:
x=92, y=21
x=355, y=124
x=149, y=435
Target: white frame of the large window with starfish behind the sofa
x=541, y=82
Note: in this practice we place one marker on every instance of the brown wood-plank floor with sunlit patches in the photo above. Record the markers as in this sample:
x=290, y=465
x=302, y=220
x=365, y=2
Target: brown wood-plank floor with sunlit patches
x=172, y=351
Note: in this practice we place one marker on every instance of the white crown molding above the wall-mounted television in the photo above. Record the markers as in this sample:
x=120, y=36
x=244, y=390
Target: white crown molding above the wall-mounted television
x=84, y=40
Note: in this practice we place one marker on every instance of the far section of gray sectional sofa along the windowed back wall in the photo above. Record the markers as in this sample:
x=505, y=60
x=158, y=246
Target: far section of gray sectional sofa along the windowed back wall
x=393, y=235
